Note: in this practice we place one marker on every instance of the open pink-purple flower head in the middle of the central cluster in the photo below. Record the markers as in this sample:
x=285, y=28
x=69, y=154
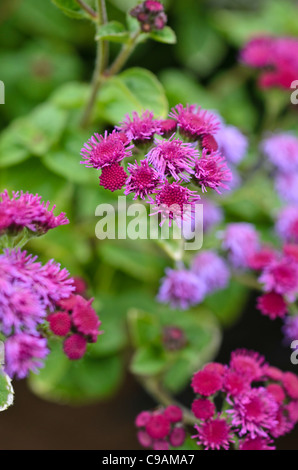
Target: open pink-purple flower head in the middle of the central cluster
x=173, y=158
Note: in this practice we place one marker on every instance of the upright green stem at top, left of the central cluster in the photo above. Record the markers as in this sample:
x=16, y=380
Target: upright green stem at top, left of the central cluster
x=100, y=64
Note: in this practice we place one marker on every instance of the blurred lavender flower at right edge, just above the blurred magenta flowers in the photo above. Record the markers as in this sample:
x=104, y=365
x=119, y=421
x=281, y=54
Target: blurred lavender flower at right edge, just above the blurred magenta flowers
x=286, y=225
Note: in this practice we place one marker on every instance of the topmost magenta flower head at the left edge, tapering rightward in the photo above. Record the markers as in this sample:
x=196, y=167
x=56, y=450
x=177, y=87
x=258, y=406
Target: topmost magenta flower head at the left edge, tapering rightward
x=25, y=210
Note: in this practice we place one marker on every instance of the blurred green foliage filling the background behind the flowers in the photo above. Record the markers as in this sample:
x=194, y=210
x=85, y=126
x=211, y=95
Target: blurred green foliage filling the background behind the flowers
x=46, y=63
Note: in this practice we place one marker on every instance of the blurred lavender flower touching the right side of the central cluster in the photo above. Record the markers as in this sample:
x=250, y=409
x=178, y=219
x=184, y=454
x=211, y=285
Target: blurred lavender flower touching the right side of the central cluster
x=232, y=143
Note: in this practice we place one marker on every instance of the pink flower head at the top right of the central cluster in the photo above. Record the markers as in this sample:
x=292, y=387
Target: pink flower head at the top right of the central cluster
x=194, y=122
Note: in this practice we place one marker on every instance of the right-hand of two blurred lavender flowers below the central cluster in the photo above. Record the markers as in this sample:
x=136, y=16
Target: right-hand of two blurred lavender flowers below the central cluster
x=211, y=269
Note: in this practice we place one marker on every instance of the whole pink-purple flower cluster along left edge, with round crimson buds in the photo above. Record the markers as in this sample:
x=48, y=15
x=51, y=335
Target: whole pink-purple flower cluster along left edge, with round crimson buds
x=31, y=292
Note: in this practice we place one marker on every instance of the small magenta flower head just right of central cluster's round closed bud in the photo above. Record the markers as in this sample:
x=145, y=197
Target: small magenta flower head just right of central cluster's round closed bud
x=142, y=179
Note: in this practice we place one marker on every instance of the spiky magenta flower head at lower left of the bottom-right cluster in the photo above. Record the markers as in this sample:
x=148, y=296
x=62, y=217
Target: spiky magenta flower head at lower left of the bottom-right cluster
x=214, y=434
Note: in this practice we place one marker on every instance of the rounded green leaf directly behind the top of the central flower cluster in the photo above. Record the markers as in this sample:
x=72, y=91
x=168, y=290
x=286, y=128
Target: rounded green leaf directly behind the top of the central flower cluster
x=135, y=89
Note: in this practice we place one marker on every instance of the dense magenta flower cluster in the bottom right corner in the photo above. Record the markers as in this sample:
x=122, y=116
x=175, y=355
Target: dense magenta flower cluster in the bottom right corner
x=259, y=403
